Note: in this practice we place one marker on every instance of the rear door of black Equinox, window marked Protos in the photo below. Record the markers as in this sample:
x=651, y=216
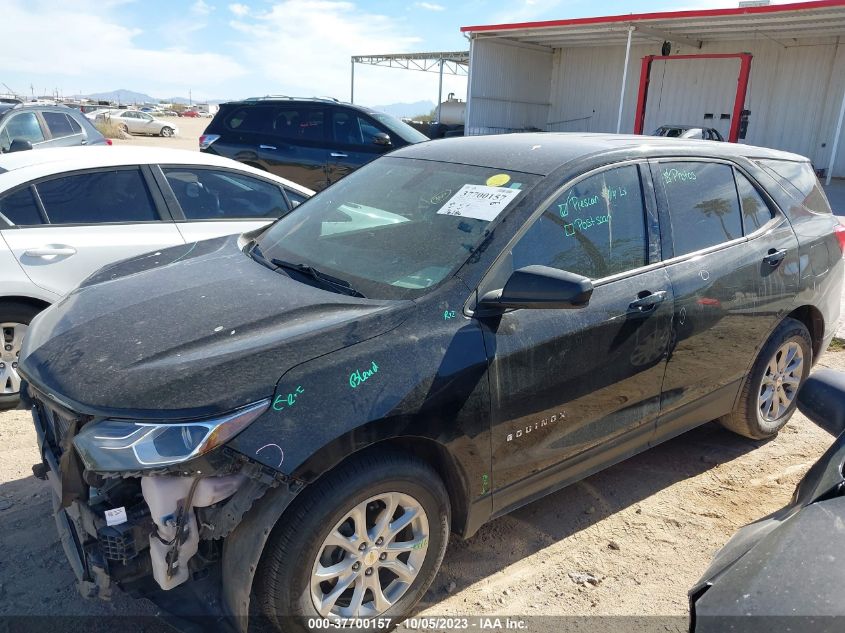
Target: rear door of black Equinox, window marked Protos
x=733, y=263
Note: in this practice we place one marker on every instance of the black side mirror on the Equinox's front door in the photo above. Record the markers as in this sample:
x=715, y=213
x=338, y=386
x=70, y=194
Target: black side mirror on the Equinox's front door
x=538, y=287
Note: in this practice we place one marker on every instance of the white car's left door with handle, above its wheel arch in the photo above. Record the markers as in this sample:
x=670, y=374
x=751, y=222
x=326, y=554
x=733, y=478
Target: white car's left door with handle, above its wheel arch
x=89, y=219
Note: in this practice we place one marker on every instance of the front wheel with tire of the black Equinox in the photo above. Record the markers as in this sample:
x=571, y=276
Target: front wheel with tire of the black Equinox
x=286, y=584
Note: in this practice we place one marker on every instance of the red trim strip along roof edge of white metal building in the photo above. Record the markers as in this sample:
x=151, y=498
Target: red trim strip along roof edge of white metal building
x=664, y=15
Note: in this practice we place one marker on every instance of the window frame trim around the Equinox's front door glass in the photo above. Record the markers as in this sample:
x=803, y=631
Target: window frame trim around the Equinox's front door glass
x=492, y=270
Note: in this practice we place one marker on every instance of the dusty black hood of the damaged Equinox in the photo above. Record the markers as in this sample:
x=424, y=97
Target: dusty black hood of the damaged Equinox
x=189, y=331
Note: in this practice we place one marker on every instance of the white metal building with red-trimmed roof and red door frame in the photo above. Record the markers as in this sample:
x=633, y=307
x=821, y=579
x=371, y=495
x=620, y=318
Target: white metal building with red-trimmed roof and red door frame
x=764, y=75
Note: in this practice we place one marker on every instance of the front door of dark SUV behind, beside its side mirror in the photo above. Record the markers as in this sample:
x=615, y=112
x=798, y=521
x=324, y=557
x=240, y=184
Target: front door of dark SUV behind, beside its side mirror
x=353, y=142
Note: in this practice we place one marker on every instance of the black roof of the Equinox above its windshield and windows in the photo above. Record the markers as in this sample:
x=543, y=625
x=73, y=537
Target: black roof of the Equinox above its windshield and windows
x=542, y=152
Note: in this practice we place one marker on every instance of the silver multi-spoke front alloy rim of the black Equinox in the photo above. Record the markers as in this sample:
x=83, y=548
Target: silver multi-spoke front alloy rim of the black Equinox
x=371, y=557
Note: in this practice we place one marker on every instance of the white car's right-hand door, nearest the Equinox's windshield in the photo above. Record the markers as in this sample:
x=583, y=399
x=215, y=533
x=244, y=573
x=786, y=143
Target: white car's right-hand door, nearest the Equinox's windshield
x=209, y=202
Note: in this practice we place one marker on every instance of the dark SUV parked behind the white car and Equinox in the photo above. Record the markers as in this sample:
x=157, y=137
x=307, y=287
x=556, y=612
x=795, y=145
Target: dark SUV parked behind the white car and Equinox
x=313, y=142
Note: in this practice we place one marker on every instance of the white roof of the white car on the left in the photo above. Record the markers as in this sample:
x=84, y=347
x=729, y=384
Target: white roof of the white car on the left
x=20, y=167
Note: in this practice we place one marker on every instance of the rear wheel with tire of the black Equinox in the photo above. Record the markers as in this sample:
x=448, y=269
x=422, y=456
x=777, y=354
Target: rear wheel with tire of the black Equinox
x=788, y=353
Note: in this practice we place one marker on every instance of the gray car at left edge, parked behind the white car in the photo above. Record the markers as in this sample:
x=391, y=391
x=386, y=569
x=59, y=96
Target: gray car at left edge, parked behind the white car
x=31, y=126
